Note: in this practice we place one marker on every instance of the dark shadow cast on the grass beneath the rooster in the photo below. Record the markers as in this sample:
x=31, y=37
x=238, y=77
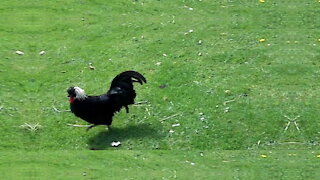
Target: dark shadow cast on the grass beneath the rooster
x=103, y=139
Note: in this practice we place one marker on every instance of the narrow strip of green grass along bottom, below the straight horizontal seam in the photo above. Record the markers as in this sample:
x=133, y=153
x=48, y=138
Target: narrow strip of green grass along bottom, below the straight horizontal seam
x=160, y=165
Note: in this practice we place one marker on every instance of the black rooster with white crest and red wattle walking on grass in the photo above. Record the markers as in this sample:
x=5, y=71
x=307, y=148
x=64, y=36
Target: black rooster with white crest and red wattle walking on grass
x=99, y=110
